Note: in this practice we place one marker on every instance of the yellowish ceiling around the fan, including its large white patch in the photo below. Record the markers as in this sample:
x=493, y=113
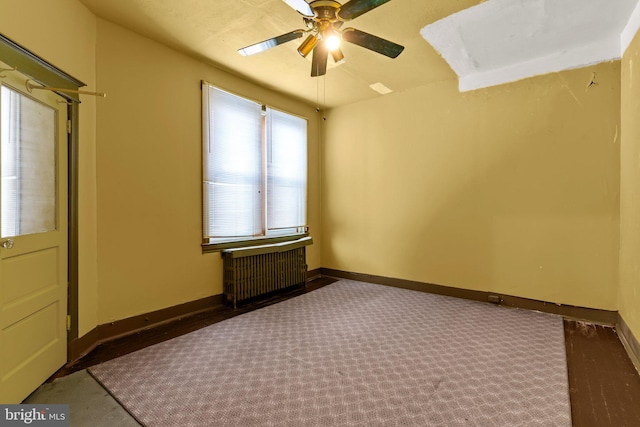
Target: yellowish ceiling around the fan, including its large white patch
x=494, y=35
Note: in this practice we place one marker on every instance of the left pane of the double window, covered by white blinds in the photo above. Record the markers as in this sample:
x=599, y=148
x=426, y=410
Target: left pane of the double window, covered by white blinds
x=233, y=165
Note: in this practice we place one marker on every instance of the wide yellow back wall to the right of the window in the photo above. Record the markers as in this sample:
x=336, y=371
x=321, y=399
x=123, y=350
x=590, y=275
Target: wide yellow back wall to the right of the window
x=511, y=189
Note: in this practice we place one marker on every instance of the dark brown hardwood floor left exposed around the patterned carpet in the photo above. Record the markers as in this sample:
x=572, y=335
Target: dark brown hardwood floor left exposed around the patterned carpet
x=604, y=386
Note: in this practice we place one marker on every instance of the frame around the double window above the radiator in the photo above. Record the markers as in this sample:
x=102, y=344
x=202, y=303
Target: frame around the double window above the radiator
x=266, y=234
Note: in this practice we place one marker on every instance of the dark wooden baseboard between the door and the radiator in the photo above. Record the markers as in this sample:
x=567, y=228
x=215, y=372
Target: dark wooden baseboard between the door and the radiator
x=81, y=346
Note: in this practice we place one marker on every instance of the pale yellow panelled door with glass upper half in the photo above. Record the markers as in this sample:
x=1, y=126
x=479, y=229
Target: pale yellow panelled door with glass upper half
x=33, y=237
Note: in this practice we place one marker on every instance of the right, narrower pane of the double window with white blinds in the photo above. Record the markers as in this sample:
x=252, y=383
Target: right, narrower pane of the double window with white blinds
x=286, y=170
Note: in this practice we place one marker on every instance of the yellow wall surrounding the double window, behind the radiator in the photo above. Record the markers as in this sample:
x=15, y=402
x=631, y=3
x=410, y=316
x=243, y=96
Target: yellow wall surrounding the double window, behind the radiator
x=149, y=174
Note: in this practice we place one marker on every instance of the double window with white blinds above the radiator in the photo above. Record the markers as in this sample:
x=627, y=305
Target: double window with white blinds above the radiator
x=255, y=170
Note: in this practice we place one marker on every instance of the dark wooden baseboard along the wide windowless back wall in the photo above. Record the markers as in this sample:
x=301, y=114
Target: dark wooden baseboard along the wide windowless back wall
x=604, y=317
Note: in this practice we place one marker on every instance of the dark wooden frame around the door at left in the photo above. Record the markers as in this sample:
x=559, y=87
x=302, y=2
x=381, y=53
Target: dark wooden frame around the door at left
x=47, y=74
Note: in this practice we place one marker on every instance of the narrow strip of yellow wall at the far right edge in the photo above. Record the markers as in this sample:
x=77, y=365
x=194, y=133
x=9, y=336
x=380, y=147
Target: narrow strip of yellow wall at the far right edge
x=629, y=295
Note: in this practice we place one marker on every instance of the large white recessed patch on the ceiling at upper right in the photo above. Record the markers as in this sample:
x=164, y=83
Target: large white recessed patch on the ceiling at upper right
x=501, y=41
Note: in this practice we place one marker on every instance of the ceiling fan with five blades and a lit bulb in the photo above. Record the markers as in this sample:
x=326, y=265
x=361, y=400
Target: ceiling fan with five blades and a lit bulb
x=323, y=20
